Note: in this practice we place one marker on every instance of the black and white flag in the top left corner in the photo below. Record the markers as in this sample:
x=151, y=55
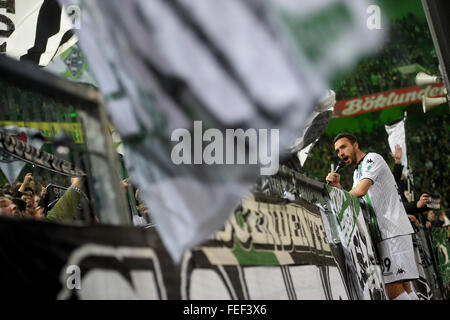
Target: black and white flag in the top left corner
x=35, y=30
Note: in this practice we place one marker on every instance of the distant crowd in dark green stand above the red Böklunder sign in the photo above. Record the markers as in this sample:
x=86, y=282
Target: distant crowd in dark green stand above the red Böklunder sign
x=409, y=42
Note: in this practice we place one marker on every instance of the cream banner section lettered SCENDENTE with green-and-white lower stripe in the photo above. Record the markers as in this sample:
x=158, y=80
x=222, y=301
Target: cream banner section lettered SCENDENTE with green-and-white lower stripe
x=260, y=232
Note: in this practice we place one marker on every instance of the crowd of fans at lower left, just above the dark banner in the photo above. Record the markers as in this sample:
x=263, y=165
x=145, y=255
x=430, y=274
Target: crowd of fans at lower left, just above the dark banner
x=64, y=202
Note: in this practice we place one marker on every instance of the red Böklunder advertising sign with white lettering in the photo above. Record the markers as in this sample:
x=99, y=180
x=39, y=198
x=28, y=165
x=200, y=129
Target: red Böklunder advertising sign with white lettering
x=387, y=99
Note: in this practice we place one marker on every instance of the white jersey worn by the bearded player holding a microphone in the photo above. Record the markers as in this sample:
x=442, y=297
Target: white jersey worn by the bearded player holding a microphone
x=383, y=196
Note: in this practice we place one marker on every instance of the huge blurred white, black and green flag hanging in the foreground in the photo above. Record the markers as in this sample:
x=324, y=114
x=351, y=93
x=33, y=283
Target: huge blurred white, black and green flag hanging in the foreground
x=207, y=95
